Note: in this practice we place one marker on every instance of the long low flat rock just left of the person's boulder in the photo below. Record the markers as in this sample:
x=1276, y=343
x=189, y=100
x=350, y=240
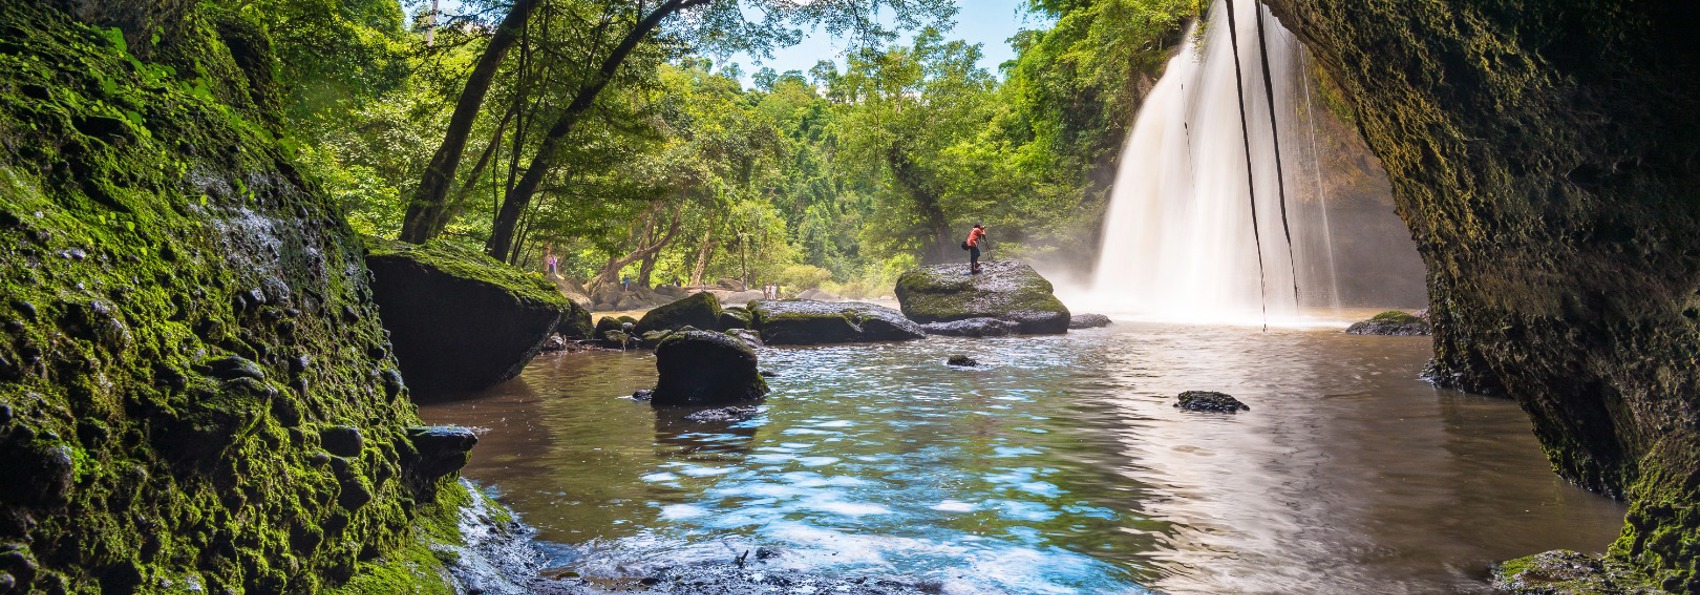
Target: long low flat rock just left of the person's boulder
x=803, y=322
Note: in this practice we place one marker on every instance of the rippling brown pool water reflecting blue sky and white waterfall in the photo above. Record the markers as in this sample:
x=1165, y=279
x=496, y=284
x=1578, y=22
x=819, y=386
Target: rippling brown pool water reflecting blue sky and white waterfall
x=1062, y=467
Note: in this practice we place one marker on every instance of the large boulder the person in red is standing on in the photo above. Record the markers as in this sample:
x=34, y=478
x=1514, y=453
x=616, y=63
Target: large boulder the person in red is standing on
x=1006, y=290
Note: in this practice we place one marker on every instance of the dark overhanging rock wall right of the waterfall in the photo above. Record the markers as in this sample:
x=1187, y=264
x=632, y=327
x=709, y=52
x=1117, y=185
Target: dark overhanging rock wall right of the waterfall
x=1544, y=157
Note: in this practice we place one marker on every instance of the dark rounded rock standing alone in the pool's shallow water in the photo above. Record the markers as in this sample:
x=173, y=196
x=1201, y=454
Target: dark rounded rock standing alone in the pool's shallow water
x=703, y=368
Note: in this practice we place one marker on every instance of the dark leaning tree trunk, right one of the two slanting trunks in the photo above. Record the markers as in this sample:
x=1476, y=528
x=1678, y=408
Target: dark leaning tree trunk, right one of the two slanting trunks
x=502, y=232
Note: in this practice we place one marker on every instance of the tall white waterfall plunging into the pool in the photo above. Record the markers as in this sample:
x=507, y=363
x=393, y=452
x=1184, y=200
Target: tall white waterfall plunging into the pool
x=1179, y=241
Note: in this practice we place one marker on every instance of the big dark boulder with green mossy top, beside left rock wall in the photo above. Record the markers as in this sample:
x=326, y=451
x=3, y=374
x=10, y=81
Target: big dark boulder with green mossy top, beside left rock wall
x=460, y=320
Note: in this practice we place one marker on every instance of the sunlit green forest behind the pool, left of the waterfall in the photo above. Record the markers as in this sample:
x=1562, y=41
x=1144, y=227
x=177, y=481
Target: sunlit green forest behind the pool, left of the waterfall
x=569, y=130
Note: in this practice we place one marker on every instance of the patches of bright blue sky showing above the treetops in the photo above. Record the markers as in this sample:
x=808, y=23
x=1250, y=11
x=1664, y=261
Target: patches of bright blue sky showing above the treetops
x=987, y=23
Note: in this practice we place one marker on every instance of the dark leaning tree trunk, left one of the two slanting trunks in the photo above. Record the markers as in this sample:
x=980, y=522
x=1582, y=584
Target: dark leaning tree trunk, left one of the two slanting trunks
x=431, y=198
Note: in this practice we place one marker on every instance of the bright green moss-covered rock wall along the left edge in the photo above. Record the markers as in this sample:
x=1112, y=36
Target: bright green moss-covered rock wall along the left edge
x=184, y=322
